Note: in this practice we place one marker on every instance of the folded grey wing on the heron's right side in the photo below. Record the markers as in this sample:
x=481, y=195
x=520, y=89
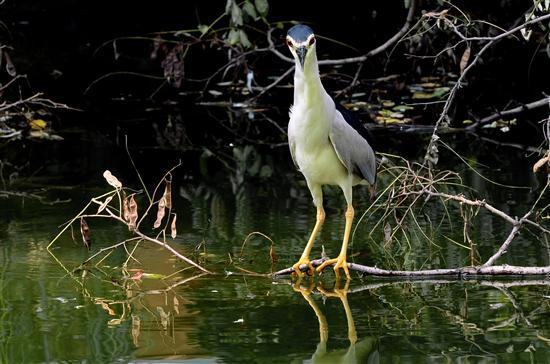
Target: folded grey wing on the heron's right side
x=353, y=149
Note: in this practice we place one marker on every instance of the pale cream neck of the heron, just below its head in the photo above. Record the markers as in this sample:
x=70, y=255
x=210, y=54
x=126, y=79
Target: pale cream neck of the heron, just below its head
x=307, y=83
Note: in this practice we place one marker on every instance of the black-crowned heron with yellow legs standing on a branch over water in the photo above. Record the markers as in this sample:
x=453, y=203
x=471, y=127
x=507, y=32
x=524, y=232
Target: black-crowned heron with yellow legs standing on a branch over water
x=327, y=146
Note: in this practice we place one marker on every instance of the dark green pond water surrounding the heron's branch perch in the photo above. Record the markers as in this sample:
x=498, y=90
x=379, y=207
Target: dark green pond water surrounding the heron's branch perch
x=49, y=315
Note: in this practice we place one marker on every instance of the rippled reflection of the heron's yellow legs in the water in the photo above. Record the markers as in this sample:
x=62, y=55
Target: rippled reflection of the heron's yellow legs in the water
x=363, y=351
